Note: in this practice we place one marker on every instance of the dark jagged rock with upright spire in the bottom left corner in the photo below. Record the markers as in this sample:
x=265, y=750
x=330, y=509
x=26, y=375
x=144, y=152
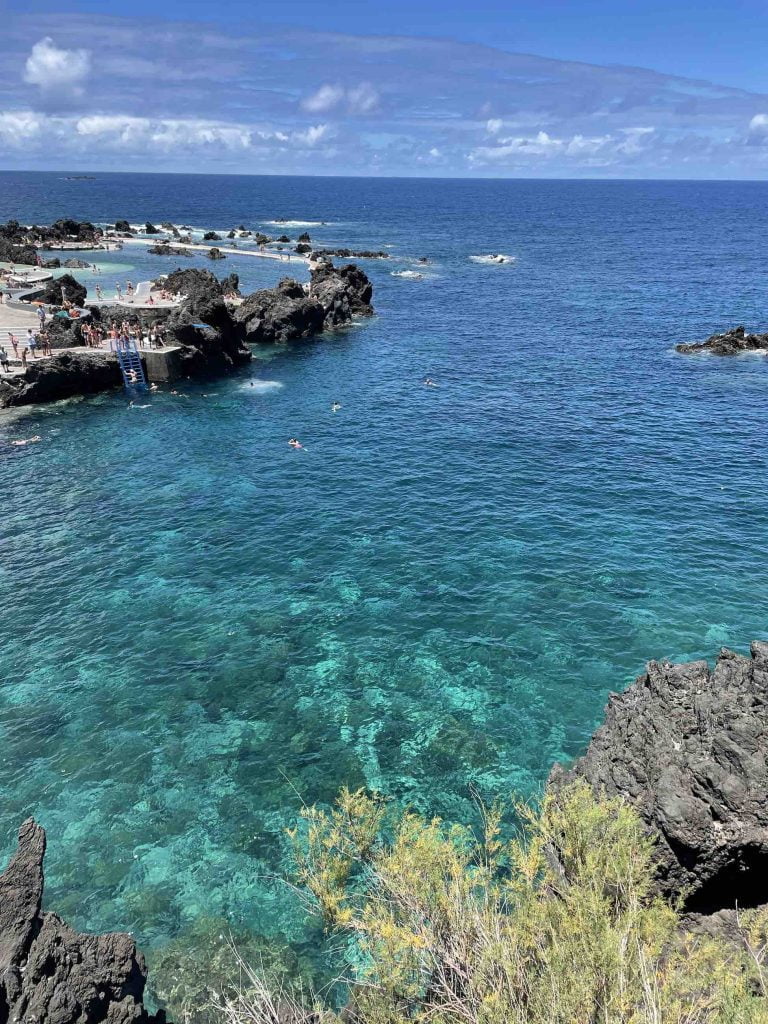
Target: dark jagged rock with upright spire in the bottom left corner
x=52, y=974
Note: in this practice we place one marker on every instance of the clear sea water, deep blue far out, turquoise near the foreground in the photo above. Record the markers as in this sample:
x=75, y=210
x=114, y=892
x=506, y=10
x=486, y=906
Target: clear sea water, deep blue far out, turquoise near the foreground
x=203, y=629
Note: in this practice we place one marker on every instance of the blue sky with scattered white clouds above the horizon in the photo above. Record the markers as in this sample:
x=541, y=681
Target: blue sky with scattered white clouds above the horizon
x=487, y=90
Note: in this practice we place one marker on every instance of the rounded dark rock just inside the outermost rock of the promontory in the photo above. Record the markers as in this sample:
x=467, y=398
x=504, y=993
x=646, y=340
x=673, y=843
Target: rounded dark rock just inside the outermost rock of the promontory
x=279, y=315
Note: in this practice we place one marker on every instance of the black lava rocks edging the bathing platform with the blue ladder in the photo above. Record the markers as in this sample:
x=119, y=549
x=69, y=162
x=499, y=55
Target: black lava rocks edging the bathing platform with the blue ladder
x=210, y=335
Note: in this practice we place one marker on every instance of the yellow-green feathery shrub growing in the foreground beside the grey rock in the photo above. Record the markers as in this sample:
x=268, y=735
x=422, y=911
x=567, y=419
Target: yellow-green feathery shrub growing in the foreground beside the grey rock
x=560, y=925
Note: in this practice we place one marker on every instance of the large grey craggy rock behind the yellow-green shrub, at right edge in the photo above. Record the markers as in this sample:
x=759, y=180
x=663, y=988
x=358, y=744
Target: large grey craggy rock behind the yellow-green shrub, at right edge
x=688, y=746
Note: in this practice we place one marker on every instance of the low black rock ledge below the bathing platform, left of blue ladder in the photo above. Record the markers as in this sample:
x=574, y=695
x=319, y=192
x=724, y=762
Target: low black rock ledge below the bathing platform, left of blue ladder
x=62, y=376
